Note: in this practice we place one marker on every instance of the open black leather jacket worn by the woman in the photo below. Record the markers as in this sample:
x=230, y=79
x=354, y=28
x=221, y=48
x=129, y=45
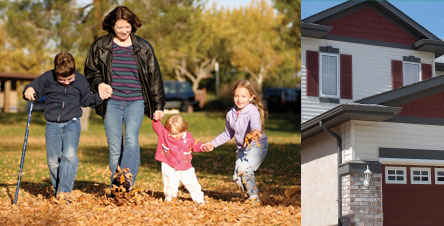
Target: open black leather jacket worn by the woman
x=98, y=70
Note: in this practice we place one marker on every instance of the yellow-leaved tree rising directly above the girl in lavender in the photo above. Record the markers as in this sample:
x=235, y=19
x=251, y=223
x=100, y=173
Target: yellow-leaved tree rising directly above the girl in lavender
x=257, y=46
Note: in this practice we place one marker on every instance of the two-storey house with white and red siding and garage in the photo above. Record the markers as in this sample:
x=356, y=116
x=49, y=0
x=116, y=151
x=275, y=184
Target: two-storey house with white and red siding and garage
x=371, y=99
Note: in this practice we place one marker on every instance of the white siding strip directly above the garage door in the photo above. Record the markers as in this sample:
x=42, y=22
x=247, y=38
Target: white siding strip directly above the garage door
x=370, y=136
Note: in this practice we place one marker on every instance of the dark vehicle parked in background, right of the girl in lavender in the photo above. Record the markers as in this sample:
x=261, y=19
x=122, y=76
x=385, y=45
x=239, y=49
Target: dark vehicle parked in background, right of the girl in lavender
x=282, y=99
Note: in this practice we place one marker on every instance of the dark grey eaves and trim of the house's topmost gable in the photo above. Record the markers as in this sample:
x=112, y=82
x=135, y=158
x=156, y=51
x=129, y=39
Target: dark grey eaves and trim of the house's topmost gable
x=315, y=26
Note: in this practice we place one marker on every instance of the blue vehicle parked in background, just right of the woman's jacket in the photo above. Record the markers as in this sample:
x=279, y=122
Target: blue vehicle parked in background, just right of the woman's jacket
x=180, y=95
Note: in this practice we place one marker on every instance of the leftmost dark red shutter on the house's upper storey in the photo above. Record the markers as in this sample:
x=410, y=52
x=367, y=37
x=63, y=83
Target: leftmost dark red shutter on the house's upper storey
x=312, y=73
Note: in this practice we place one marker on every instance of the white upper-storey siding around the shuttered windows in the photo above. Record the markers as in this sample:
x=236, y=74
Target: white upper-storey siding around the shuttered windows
x=371, y=68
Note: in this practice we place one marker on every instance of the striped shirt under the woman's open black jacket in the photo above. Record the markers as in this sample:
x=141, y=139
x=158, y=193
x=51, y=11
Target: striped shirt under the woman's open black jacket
x=125, y=75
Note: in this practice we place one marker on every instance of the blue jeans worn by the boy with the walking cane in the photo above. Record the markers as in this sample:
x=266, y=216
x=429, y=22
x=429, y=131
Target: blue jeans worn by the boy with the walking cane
x=62, y=142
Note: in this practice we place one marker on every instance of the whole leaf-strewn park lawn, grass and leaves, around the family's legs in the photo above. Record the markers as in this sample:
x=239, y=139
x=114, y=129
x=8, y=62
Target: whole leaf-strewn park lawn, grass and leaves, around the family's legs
x=278, y=179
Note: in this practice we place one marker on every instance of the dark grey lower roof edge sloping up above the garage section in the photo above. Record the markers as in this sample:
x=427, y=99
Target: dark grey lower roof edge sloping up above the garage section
x=379, y=107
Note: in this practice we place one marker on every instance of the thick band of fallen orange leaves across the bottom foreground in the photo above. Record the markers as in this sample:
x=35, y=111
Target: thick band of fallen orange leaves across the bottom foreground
x=142, y=207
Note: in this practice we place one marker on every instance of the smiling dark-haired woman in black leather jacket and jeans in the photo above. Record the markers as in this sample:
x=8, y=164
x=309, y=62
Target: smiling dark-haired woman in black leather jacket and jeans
x=123, y=67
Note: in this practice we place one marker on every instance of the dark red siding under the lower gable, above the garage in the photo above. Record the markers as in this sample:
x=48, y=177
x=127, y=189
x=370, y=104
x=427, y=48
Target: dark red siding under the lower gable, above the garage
x=431, y=107
